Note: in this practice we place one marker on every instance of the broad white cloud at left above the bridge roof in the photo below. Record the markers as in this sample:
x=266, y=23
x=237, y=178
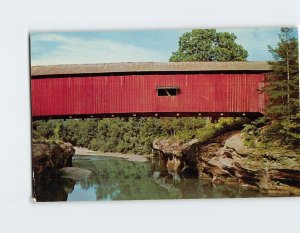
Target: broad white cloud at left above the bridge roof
x=78, y=50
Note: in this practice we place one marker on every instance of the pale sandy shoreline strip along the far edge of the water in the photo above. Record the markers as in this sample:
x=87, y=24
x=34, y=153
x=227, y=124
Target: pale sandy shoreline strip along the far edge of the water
x=130, y=157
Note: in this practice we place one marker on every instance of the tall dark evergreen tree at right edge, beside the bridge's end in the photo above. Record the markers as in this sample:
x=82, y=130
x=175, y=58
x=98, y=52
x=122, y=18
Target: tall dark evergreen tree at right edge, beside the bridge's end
x=283, y=92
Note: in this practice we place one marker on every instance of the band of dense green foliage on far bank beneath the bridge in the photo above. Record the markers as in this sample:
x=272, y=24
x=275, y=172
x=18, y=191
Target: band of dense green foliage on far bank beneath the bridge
x=134, y=135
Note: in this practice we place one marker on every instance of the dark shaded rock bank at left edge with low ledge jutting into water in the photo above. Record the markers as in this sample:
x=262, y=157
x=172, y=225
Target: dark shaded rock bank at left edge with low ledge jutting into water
x=54, y=178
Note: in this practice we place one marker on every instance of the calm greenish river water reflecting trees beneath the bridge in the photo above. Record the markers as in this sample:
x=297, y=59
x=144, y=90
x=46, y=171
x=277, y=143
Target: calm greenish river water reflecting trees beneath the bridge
x=119, y=179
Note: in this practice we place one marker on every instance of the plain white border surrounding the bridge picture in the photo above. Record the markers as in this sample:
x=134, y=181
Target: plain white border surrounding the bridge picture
x=18, y=213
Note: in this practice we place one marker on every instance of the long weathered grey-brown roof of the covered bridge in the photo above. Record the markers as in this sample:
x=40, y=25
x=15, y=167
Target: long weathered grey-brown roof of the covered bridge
x=149, y=67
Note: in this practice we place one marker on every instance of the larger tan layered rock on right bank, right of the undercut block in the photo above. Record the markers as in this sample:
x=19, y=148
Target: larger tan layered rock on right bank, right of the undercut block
x=238, y=164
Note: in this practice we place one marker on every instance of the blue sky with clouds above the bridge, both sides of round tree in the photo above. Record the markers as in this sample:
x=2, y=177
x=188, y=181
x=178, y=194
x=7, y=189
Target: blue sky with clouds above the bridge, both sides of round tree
x=49, y=48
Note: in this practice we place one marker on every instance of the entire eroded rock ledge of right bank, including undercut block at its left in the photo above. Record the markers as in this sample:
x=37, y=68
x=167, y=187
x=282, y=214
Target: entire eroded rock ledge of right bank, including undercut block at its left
x=227, y=160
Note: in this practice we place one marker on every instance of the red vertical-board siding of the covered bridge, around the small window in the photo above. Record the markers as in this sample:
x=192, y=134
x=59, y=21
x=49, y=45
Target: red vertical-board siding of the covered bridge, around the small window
x=137, y=94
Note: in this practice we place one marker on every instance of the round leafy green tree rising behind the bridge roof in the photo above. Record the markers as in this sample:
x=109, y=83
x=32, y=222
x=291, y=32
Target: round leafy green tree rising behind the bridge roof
x=208, y=45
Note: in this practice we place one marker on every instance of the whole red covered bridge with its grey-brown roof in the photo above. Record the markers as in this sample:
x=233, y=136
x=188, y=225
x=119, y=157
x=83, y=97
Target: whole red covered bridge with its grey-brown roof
x=148, y=89
